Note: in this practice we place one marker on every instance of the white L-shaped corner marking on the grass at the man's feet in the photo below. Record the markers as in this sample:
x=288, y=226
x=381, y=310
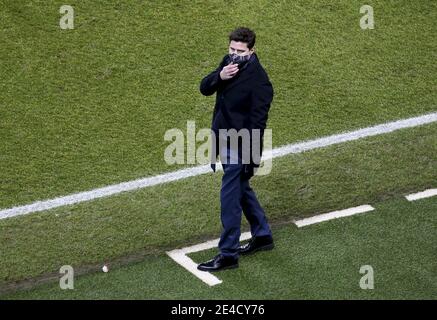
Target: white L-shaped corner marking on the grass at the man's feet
x=180, y=256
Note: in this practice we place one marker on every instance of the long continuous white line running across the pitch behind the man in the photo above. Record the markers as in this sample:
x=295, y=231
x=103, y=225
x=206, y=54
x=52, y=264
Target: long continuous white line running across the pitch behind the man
x=195, y=171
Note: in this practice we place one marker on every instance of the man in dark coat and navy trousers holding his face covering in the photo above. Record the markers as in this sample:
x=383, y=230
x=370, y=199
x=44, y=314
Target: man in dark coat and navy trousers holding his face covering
x=243, y=97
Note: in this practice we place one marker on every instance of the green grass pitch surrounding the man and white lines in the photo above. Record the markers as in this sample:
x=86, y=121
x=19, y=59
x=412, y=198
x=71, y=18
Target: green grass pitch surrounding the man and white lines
x=88, y=107
